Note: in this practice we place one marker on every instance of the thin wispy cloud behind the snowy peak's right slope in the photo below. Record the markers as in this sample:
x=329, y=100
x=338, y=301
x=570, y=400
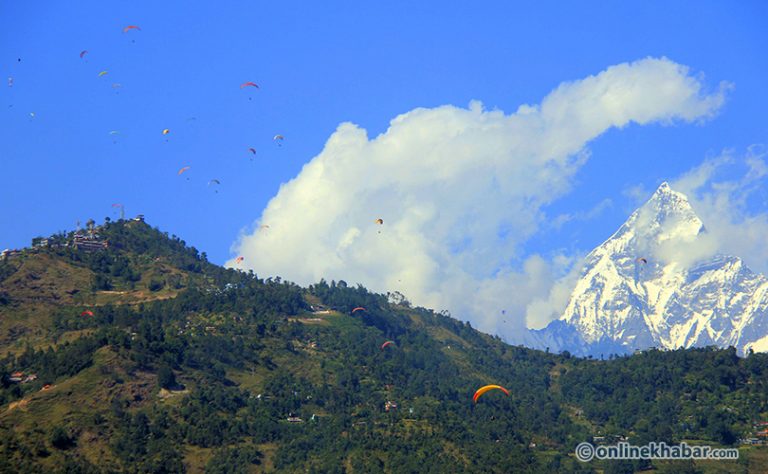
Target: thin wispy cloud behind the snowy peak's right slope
x=728, y=193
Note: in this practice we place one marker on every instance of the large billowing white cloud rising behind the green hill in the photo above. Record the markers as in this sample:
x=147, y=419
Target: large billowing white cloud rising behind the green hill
x=460, y=190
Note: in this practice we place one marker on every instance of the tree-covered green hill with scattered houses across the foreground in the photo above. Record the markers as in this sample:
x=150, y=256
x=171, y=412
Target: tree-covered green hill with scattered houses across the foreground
x=147, y=358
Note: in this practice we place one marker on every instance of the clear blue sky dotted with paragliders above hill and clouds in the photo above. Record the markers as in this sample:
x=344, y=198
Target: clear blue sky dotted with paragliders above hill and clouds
x=319, y=65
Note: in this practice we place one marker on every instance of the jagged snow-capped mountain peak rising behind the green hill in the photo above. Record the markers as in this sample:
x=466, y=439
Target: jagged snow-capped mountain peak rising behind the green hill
x=655, y=283
